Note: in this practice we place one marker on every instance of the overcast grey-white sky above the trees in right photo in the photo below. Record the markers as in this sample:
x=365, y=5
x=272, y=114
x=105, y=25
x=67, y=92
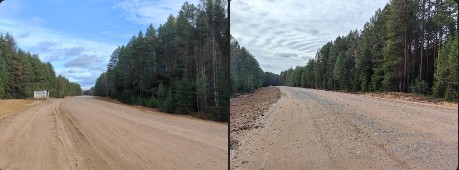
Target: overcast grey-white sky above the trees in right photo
x=287, y=33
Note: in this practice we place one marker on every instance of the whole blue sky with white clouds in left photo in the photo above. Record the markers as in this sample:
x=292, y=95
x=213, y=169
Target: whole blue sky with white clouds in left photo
x=78, y=37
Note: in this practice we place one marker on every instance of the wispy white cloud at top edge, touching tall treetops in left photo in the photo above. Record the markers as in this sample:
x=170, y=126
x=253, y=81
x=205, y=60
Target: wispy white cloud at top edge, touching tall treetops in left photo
x=146, y=12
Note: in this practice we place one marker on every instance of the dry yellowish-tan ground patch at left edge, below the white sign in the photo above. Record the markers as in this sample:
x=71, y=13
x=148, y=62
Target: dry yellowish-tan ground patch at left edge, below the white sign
x=10, y=106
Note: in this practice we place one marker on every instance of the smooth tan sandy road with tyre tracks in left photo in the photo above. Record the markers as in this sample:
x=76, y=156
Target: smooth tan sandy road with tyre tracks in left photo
x=84, y=133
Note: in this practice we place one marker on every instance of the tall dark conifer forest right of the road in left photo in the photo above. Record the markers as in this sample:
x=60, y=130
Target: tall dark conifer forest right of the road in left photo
x=180, y=67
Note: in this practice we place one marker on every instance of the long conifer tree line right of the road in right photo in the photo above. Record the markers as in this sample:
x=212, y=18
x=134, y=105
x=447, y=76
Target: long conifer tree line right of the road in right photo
x=408, y=46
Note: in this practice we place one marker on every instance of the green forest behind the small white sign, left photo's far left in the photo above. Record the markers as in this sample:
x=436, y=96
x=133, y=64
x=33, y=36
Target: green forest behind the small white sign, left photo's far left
x=21, y=73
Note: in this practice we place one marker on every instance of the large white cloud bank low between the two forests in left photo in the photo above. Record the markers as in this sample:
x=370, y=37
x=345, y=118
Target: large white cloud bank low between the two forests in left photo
x=86, y=57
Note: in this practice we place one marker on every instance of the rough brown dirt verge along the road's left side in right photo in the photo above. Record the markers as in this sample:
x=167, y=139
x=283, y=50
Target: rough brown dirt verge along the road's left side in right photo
x=247, y=108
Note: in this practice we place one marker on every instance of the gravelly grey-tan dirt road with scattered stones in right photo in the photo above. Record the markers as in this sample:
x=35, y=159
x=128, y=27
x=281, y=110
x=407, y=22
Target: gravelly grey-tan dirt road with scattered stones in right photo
x=315, y=129
